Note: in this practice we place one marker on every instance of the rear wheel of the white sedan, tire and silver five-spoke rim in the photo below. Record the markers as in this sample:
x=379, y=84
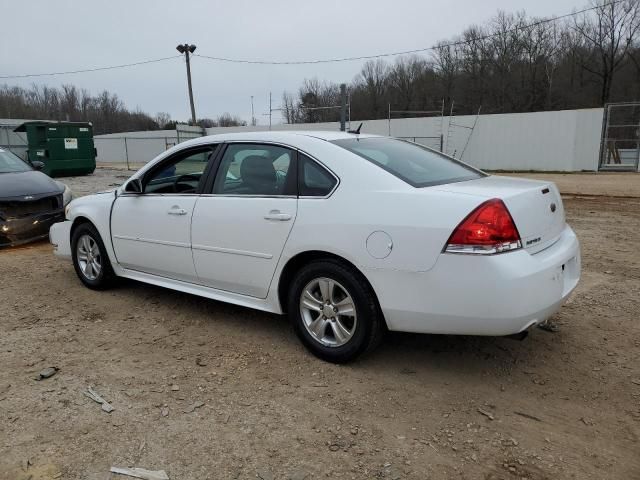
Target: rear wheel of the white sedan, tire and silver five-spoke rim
x=334, y=311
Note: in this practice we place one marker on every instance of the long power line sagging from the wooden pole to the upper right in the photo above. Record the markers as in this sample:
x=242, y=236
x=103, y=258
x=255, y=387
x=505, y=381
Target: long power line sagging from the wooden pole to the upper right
x=406, y=52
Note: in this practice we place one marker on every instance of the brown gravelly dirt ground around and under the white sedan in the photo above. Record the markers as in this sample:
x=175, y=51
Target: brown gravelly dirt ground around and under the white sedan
x=206, y=390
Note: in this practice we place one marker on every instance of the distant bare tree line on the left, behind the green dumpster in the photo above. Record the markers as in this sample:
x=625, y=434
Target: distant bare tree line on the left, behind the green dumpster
x=106, y=111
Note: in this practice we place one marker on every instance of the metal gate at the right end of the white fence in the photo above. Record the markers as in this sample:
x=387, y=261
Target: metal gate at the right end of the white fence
x=620, y=144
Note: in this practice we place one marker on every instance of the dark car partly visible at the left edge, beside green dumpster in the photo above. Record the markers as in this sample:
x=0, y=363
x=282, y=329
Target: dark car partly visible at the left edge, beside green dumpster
x=30, y=201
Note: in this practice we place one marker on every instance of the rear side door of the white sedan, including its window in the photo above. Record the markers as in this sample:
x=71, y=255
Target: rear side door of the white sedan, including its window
x=240, y=227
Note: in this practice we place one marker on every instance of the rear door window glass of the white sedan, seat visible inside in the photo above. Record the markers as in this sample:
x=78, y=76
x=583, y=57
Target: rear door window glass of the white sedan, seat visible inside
x=254, y=169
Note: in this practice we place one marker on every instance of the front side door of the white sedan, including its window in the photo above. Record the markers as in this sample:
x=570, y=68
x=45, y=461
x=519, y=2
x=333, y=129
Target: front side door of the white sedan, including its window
x=151, y=231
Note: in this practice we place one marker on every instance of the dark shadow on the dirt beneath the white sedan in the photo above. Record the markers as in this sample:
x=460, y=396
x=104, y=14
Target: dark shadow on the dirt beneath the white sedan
x=400, y=352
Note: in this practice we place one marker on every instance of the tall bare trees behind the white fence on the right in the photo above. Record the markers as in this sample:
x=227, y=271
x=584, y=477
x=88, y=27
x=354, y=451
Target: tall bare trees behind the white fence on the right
x=512, y=63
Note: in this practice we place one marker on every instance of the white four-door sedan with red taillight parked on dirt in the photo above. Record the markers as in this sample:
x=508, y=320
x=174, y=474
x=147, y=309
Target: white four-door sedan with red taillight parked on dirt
x=348, y=234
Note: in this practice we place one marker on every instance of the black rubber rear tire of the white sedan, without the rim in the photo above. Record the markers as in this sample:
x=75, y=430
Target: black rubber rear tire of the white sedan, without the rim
x=368, y=329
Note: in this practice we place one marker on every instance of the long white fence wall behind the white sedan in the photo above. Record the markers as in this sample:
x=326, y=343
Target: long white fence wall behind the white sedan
x=567, y=140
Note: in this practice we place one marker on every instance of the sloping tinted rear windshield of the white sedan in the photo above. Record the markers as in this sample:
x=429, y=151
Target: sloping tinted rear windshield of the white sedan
x=417, y=165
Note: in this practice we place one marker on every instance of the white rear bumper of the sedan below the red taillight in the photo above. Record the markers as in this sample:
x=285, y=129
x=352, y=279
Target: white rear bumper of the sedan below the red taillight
x=481, y=295
